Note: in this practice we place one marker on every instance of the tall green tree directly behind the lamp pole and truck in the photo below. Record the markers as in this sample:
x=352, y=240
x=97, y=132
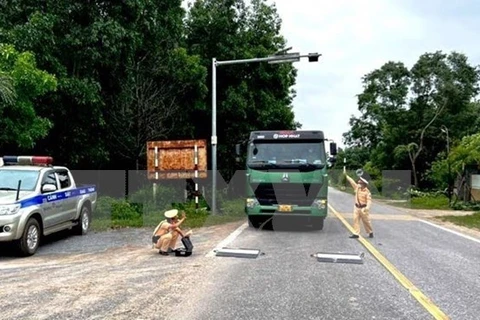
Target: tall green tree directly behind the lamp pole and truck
x=249, y=96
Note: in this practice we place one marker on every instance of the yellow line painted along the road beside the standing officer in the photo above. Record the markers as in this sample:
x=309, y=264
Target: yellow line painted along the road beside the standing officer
x=414, y=291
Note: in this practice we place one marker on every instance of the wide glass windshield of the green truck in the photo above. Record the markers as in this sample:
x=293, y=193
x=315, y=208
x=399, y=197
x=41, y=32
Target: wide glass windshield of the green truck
x=286, y=152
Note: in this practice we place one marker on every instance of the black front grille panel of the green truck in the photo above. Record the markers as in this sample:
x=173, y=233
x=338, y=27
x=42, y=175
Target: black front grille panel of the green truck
x=301, y=194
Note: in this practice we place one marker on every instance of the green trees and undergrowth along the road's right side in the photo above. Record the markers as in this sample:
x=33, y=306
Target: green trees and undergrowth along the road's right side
x=417, y=136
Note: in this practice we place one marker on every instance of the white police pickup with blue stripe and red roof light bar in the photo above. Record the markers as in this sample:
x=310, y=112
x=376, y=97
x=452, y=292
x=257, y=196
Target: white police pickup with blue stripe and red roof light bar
x=38, y=199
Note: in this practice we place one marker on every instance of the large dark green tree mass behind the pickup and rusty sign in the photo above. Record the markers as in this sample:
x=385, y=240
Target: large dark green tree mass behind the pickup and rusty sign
x=136, y=70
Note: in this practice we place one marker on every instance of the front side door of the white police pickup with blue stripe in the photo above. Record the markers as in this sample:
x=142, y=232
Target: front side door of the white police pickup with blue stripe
x=50, y=205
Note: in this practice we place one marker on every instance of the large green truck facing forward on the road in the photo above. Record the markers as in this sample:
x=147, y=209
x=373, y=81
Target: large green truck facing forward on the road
x=286, y=175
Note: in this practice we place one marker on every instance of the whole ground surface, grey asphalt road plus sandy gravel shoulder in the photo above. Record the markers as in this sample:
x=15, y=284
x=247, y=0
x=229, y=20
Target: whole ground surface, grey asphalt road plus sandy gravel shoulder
x=116, y=274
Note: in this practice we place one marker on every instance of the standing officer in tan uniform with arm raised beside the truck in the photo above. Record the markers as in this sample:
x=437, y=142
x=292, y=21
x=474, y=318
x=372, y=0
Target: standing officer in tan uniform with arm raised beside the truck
x=361, y=210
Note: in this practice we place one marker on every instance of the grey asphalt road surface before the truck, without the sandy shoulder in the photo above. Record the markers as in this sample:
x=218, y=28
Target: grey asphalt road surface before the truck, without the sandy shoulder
x=286, y=283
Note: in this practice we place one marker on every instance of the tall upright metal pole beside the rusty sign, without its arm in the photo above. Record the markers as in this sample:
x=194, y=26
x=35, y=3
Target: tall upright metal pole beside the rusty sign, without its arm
x=214, y=136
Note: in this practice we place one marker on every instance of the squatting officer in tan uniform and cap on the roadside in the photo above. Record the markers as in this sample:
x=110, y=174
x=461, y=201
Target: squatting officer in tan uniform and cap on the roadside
x=166, y=233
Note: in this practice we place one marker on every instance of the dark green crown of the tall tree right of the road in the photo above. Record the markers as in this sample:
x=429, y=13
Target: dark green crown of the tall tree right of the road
x=403, y=111
